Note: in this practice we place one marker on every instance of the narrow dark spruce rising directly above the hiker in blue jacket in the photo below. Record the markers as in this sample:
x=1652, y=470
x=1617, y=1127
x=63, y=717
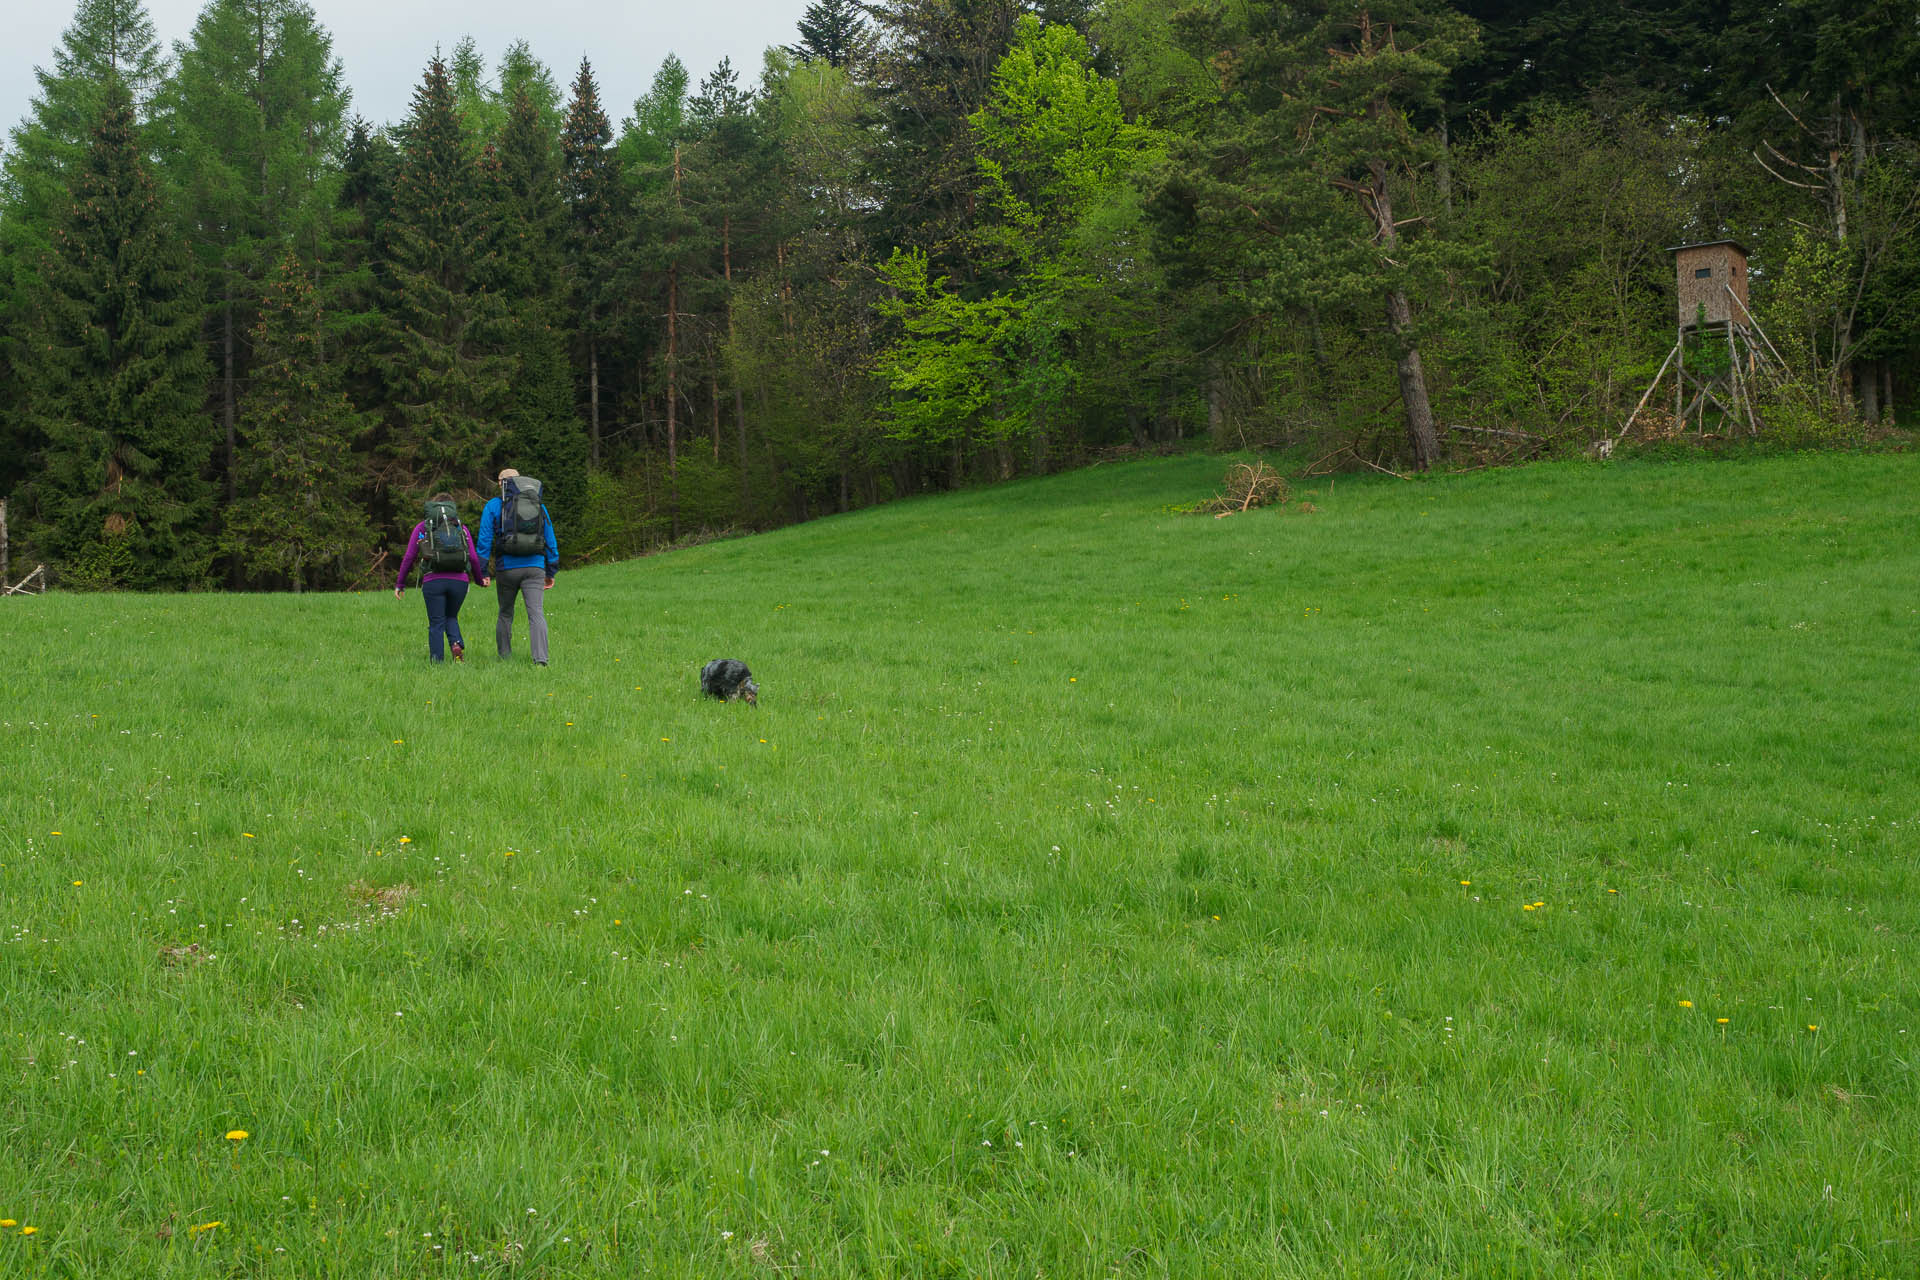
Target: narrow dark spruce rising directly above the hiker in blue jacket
x=542, y=429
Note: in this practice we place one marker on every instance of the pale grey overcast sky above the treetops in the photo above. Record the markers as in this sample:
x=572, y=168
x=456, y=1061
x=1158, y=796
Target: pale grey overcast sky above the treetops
x=385, y=45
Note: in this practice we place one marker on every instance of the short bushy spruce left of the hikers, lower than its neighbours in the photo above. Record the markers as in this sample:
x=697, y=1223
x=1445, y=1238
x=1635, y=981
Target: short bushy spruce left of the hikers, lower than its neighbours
x=297, y=517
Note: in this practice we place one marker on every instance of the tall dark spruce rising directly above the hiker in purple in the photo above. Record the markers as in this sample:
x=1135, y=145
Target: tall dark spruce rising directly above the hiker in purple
x=448, y=354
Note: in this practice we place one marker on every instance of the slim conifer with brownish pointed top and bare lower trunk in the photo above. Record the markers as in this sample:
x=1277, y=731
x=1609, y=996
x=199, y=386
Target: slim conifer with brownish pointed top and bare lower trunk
x=590, y=187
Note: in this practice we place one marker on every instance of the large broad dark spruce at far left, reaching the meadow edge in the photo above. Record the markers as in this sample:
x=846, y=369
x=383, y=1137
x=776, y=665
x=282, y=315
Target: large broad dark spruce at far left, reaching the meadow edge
x=114, y=375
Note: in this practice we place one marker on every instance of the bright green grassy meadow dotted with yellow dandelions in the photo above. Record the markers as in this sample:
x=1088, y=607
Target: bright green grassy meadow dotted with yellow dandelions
x=1495, y=876
